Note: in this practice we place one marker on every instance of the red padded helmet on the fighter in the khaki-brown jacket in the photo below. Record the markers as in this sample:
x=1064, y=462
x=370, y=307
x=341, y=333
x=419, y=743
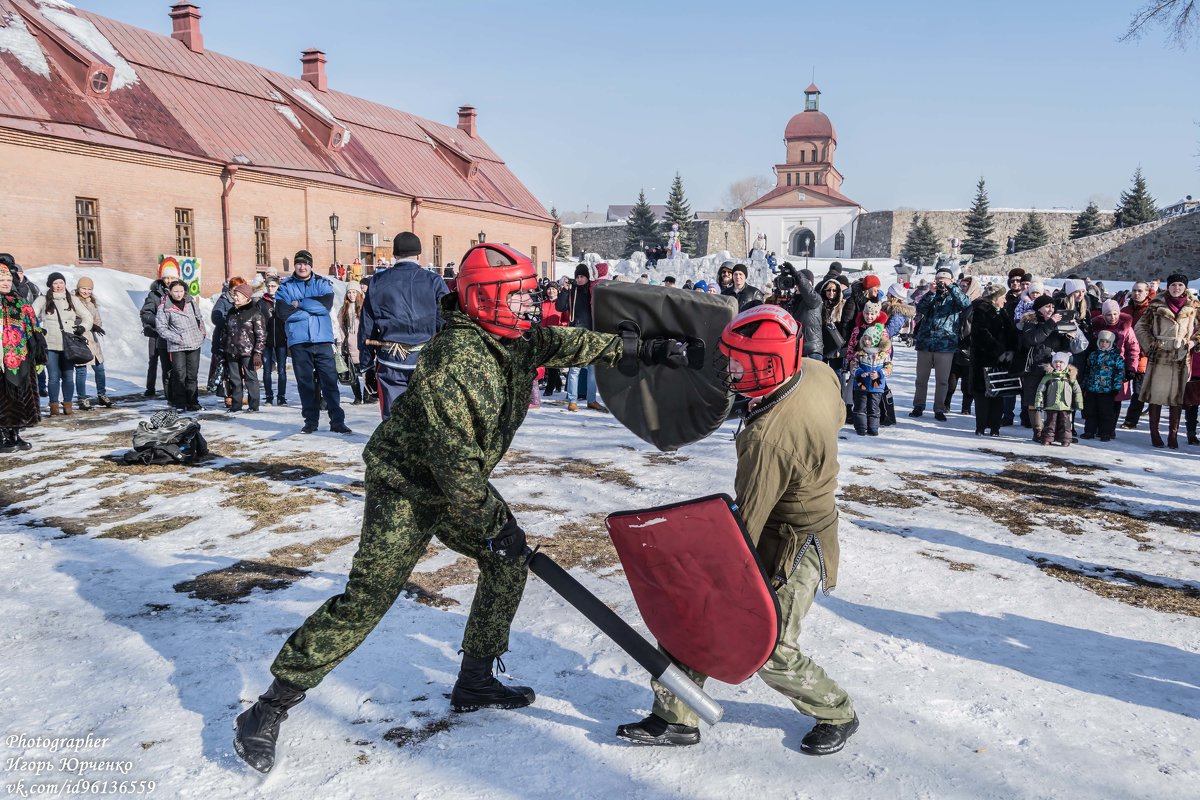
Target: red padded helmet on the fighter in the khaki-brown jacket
x=764, y=346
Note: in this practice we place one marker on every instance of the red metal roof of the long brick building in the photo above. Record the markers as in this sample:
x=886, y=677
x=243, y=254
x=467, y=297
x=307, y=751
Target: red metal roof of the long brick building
x=212, y=107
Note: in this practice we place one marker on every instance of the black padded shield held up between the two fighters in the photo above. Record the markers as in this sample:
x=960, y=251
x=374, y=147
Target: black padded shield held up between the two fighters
x=664, y=406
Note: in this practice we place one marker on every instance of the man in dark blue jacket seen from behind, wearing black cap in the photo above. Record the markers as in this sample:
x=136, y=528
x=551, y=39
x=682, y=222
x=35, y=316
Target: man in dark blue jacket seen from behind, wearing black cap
x=400, y=315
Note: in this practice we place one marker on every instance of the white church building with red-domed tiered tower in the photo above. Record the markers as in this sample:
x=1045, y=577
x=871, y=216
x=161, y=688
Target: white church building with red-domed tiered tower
x=806, y=215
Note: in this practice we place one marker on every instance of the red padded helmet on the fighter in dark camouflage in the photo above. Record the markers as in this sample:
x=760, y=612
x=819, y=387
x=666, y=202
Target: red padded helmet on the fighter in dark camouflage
x=488, y=275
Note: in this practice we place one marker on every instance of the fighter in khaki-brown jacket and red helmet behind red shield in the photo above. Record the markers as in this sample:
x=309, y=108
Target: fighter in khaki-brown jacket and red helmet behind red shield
x=785, y=483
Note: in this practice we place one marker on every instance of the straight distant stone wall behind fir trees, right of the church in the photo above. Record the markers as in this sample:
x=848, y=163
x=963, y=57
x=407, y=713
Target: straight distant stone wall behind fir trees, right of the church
x=881, y=234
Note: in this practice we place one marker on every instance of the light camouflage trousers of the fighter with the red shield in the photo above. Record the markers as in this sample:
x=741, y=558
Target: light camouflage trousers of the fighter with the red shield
x=789, y=672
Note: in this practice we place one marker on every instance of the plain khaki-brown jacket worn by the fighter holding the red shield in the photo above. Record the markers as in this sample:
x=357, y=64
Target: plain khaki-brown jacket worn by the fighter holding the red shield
x=788, y=473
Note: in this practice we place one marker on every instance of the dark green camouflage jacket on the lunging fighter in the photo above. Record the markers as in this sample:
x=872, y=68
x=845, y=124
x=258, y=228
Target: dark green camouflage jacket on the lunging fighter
x=465, y=402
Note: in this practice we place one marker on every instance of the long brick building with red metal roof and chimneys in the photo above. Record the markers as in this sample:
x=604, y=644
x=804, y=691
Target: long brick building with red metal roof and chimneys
x=118, y=146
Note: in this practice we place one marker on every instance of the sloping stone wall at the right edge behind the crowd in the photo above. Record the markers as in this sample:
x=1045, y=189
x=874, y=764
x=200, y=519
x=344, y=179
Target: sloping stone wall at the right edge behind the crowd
x=1154, y=250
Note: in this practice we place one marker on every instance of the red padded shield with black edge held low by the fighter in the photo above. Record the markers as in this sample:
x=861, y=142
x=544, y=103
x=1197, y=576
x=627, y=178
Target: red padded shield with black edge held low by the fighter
x=700, y=586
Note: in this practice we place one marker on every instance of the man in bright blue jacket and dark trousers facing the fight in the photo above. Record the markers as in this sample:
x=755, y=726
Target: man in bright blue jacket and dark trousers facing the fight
x=304, y=304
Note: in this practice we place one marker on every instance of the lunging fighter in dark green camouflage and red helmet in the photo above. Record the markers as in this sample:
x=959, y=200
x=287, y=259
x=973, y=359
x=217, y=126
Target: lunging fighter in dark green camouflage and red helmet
x=427, y=476
